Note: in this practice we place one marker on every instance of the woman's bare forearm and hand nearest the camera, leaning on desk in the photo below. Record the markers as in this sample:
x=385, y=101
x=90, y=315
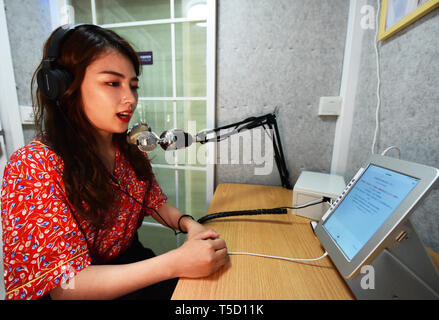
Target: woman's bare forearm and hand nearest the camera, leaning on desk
x=197, y=257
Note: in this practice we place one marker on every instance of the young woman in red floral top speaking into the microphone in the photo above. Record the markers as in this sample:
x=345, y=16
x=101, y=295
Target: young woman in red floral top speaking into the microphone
x=73, y=198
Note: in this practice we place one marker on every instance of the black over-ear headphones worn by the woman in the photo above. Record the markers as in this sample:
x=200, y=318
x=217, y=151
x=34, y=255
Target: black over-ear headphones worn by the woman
x=53, y=80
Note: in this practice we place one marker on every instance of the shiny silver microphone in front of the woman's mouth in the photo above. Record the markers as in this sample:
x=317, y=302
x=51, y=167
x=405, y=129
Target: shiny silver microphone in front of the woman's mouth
x=146, y=140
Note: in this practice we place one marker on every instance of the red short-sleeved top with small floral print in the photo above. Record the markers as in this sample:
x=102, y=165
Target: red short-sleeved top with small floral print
x=44, y=242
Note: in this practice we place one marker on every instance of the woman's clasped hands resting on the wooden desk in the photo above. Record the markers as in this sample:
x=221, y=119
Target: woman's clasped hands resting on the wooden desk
x=201, y=255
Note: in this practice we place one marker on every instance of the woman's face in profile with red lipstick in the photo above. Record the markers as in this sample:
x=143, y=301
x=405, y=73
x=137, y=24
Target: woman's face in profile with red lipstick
x=109, y=93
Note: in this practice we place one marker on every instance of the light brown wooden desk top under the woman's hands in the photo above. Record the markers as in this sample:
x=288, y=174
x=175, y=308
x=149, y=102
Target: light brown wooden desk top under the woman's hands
x=257, y=278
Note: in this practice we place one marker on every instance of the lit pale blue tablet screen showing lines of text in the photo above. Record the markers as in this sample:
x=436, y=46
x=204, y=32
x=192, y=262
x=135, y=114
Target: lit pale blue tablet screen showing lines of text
x=366, y=207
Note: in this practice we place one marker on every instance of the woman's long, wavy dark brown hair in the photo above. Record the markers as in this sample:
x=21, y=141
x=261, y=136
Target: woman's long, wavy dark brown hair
x=65, y=128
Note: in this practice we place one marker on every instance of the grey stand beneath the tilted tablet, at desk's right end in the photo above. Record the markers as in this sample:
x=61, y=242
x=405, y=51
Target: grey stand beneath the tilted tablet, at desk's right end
x=403, y=272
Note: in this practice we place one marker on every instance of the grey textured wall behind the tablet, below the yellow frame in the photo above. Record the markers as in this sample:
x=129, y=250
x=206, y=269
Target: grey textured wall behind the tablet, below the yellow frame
x=409, y=108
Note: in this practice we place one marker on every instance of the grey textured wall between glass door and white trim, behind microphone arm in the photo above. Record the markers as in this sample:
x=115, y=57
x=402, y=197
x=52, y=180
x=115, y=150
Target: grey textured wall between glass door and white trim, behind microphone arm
x=286, y=54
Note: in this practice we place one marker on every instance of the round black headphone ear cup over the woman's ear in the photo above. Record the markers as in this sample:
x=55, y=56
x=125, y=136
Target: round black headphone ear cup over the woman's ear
x=53, y=83
